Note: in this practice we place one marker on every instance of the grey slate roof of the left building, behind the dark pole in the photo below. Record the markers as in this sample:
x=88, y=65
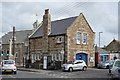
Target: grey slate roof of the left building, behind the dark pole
x=21, y=36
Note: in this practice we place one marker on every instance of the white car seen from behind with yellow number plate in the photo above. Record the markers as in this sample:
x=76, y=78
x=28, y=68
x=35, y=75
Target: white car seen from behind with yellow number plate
x=8, y=66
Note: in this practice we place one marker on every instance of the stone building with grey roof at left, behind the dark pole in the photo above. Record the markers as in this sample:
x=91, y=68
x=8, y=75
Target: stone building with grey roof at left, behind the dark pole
x=20, y=46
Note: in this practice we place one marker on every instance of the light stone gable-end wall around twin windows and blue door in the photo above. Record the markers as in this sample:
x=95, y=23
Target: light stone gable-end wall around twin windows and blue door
x=80, y=25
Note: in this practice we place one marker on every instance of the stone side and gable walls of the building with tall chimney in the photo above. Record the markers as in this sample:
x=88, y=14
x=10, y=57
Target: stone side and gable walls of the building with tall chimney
x=68, y=44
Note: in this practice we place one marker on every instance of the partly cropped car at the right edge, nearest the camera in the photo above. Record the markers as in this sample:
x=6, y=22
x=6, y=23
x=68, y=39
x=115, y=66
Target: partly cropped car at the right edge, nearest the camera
x=115, y=69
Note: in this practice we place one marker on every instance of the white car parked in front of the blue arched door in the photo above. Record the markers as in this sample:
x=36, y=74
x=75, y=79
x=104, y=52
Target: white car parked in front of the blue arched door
x=76, y=65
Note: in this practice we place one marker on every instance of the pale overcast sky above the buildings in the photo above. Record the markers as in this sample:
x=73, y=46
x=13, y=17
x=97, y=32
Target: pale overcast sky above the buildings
x=102, y=16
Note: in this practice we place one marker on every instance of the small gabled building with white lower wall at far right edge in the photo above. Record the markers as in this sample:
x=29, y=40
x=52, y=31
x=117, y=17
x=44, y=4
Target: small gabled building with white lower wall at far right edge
x=114, y=49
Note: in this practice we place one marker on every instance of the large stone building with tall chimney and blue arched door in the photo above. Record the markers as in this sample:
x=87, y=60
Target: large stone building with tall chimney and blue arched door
x=63, y=40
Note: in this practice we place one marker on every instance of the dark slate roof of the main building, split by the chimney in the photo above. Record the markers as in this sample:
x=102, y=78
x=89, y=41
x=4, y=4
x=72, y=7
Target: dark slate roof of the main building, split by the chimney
x=57, y=27
